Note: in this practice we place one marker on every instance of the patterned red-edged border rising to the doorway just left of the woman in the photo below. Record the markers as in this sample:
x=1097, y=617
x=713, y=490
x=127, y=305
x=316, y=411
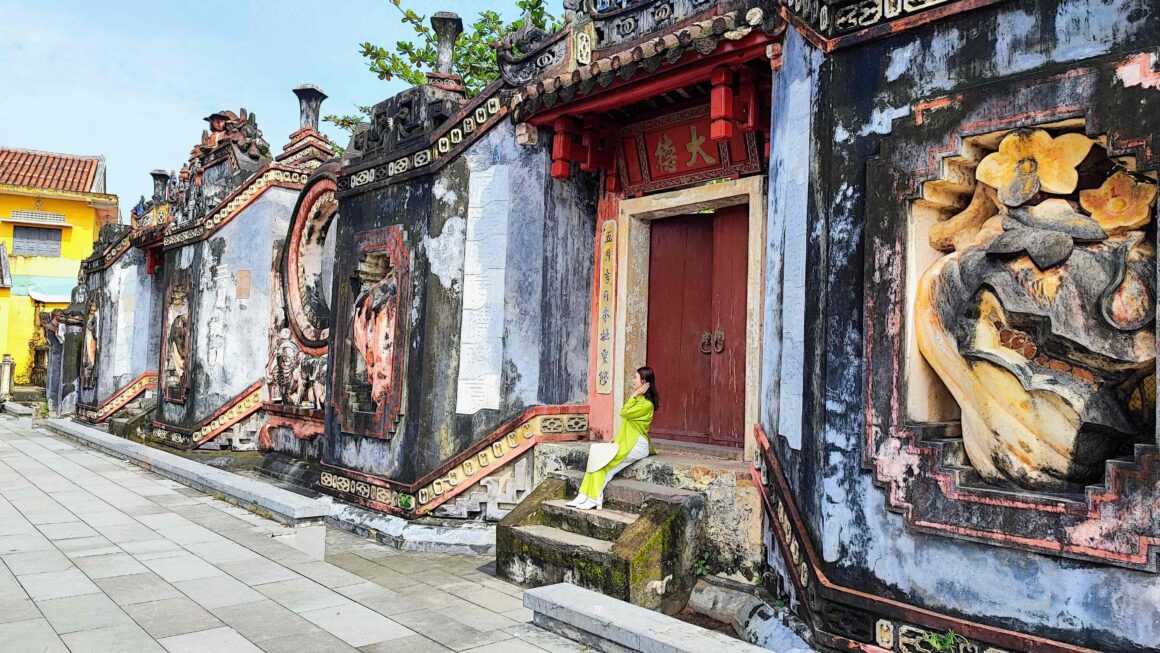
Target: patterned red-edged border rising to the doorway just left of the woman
x=494, y=453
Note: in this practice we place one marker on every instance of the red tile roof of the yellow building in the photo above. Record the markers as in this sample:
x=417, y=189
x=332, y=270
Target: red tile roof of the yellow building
x=52, y=171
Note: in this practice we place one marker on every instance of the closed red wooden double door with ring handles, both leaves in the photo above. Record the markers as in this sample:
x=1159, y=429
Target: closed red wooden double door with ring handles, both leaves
x=697, y=325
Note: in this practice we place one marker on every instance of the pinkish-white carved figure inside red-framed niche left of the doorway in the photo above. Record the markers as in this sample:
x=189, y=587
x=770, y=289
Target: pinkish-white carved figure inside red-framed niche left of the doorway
x=376, y=311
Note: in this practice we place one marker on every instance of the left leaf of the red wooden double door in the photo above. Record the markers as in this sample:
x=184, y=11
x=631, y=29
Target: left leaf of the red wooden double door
x=680, y=267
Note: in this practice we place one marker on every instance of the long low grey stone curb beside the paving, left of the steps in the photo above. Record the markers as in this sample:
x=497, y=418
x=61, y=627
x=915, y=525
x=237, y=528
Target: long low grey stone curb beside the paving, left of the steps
x=255, y=496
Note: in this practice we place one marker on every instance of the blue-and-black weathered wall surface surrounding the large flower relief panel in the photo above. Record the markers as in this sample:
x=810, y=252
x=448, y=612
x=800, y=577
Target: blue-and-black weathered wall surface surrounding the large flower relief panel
x=862, y=90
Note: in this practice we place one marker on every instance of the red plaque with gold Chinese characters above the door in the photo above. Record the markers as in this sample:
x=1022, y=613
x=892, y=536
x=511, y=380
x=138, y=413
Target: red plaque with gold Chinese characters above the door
x=677, y=150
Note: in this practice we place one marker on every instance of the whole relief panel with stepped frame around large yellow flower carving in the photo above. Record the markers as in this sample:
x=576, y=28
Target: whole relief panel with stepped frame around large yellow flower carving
x=1011, y=317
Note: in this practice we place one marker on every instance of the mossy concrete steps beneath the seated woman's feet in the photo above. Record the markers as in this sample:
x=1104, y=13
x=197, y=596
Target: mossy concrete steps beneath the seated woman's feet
x=642, y=548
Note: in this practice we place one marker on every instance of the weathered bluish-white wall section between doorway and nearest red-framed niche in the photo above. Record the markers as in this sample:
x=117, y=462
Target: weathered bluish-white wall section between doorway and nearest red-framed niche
x=496, y=248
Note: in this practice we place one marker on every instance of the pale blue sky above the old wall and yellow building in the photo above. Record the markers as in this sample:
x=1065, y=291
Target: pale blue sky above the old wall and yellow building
x=133, y=81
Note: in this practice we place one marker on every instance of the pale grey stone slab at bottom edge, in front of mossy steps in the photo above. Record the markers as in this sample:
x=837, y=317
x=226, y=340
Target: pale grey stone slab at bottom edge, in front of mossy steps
x=586, y=618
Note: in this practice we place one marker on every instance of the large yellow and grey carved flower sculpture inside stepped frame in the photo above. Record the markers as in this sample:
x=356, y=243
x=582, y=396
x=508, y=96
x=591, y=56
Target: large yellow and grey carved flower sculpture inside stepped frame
x=1040, y=318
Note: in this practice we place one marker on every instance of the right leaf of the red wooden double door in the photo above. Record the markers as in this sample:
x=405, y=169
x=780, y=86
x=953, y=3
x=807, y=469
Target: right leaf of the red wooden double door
x=731, y=240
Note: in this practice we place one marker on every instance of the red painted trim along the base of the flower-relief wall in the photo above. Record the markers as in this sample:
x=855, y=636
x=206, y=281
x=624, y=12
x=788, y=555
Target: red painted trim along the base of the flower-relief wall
x=896, y=610
